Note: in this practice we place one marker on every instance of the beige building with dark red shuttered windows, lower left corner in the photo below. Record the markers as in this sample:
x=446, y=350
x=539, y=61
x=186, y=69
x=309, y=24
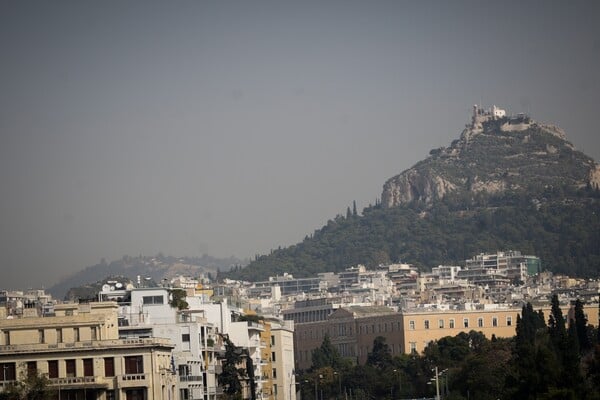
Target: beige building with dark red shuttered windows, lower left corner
x=79, y=350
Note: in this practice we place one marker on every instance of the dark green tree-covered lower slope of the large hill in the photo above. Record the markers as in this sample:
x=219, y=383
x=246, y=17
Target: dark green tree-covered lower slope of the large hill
x=563, y=232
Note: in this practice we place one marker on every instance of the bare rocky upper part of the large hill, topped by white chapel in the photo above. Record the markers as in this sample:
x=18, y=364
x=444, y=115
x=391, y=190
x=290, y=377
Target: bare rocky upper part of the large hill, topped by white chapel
x=495, y=154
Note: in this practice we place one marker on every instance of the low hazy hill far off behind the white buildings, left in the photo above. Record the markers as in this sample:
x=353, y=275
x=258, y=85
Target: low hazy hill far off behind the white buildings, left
x=157, y=268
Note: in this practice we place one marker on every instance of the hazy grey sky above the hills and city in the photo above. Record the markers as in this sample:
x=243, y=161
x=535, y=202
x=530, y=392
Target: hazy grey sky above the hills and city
x=231, y=128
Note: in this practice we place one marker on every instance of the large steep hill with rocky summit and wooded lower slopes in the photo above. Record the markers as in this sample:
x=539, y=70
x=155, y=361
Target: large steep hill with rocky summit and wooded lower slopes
x=507, y=182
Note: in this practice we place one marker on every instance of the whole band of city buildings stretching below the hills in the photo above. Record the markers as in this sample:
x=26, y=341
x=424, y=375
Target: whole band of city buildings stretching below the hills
x=172, y=341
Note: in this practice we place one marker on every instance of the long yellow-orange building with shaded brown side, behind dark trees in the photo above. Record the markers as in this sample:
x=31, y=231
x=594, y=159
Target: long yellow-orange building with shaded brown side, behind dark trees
x=353, y=329
